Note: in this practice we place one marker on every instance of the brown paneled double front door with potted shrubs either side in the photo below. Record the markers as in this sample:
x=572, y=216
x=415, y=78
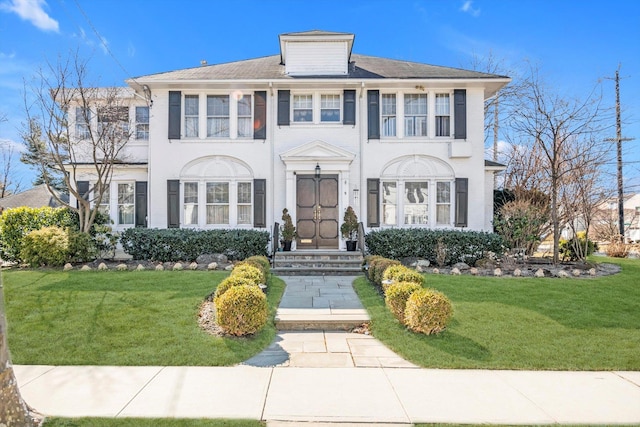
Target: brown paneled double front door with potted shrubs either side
x=317, y=211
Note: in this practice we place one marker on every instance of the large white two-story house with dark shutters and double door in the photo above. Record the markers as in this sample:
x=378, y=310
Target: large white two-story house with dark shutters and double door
x=314, y=129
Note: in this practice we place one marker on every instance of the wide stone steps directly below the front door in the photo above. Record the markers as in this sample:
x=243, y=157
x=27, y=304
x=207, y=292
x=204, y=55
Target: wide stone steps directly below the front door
x=317, y=263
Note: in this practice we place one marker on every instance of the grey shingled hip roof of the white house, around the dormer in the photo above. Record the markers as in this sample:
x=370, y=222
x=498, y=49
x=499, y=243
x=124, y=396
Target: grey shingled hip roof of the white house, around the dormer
x=360, y=67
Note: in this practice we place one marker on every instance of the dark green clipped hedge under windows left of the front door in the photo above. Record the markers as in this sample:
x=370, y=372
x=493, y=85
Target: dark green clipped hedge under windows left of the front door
x=182, y=244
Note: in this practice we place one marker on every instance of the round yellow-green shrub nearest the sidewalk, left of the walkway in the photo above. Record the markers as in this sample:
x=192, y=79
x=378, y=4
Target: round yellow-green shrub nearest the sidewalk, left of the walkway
x=242, y=310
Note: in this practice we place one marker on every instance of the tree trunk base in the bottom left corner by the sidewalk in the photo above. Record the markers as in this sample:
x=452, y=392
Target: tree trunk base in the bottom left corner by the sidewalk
x=14, y=411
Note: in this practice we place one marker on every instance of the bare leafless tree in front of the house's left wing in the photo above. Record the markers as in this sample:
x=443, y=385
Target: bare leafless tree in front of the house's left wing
x=75, y=128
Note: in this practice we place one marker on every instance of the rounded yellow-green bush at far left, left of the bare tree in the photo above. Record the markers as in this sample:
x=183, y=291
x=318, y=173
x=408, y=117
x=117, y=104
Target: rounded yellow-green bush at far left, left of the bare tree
x=46, y=246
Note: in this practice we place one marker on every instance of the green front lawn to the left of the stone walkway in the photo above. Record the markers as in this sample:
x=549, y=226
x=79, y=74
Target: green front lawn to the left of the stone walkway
x=120, y=318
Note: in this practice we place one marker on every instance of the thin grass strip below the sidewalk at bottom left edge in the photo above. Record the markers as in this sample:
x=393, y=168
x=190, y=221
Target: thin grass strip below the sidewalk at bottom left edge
x=147, y=422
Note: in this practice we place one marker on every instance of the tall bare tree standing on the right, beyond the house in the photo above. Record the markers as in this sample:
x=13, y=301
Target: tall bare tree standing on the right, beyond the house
x=566, y=133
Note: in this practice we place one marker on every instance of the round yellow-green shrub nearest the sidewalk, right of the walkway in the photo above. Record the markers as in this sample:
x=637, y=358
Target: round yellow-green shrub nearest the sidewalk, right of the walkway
x=428, y=311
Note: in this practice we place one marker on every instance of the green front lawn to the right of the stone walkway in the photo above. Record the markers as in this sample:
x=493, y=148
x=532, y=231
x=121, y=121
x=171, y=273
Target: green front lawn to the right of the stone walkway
x=524, y=323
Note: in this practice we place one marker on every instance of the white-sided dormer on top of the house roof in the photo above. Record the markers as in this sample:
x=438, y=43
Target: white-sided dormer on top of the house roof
x=316, y=53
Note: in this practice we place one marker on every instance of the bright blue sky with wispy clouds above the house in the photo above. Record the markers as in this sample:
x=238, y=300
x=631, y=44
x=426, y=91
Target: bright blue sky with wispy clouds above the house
x=575, y=43
